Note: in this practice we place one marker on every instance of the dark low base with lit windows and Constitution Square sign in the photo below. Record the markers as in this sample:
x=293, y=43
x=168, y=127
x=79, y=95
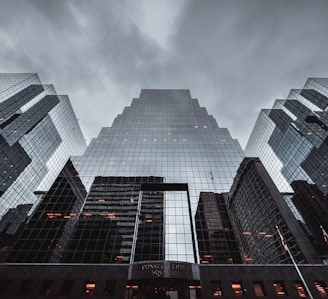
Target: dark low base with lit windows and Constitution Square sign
x=161, y=279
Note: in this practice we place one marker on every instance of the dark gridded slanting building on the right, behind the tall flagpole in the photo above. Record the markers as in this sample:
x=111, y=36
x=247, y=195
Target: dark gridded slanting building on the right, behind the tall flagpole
x=256, y=208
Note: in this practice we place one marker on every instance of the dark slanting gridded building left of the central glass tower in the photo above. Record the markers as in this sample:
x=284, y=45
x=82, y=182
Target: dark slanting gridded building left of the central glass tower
x=48, y=230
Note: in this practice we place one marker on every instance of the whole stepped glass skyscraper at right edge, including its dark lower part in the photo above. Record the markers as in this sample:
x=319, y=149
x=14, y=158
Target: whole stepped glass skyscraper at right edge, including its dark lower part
x=291, y=140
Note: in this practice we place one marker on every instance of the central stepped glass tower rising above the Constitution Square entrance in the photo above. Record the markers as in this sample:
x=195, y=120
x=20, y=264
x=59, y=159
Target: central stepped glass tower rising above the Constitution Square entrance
x=164, y=134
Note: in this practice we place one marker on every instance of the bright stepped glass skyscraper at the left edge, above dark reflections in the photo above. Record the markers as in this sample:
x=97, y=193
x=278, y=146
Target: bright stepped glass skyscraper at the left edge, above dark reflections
x=38, y=133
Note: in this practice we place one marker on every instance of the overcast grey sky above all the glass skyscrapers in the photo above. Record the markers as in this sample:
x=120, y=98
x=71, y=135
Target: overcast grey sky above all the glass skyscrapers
x=235, y=56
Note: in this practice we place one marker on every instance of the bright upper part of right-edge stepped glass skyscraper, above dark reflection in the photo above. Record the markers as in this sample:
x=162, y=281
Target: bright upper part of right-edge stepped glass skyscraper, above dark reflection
x=291, y=138
